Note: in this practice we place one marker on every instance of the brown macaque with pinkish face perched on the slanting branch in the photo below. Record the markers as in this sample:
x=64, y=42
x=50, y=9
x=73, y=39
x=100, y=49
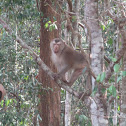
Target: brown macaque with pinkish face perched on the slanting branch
x=66, y=58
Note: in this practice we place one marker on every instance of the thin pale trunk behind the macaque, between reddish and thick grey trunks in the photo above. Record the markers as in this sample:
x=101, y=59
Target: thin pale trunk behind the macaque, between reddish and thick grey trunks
x=74, y=39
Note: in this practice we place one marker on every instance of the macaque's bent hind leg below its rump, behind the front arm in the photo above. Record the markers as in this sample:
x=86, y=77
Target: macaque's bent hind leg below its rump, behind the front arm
x=76, y=73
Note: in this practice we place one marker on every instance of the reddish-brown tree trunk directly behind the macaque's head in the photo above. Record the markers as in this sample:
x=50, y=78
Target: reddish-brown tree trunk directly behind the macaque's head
x=49, y=106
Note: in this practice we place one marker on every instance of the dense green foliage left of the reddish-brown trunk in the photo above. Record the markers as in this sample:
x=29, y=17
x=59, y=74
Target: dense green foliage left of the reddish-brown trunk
x=17, y=68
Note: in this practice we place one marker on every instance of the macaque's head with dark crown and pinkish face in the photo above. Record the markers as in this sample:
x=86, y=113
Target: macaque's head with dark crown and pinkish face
x=57, y=45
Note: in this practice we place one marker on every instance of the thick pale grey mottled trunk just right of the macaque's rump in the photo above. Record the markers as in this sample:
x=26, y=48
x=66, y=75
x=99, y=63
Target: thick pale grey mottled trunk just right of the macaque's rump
x=91, y=13
